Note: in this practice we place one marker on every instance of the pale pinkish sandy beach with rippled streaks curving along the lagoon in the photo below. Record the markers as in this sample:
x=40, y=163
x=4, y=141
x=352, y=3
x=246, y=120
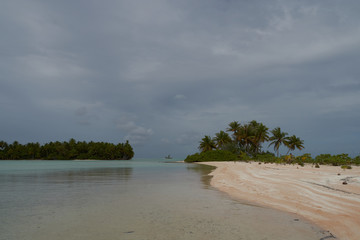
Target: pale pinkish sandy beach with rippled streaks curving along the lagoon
x=317, y=194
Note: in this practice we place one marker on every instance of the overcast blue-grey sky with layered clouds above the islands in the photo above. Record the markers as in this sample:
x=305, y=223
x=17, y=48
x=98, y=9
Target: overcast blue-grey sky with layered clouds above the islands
x=164, y=73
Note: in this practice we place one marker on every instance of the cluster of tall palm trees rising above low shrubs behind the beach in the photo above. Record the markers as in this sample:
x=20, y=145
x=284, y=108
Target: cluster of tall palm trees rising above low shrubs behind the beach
x=249, y=138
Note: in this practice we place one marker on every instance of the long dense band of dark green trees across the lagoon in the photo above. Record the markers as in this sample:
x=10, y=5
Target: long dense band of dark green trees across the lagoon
x=66, y=151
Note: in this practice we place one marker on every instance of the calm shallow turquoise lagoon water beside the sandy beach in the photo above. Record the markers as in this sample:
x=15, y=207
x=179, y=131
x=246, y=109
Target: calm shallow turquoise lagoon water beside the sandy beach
x=137, y=199
